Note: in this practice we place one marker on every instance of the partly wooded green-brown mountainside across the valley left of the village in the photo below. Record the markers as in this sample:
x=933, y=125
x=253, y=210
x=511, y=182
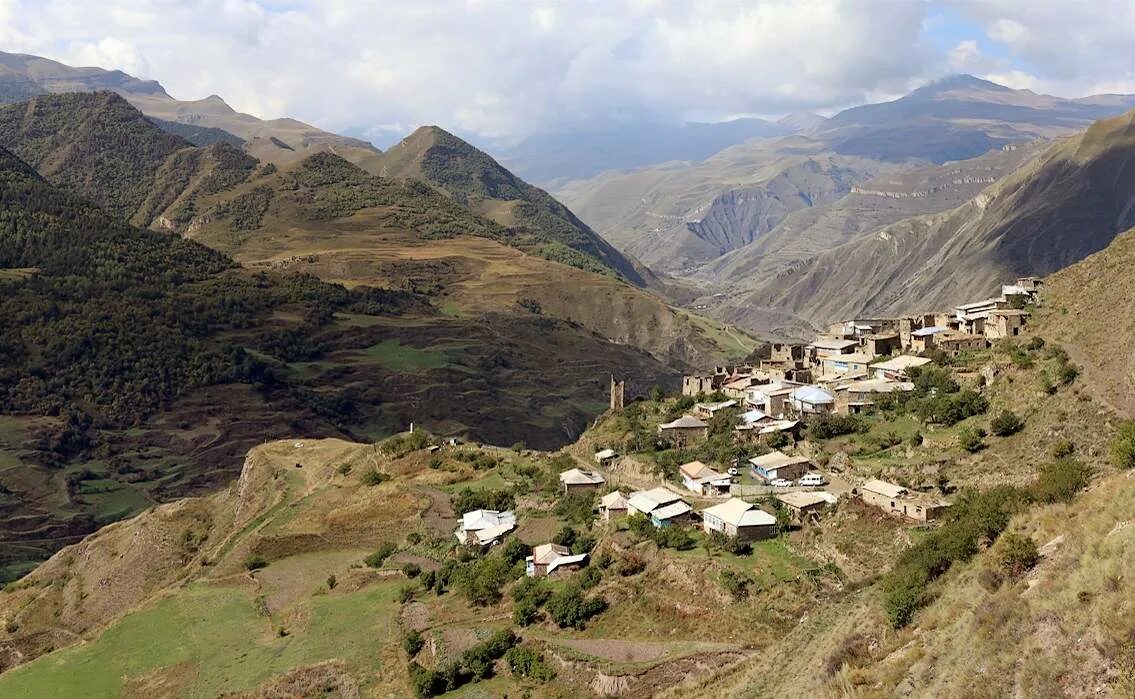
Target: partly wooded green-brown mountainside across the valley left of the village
x=180, y=304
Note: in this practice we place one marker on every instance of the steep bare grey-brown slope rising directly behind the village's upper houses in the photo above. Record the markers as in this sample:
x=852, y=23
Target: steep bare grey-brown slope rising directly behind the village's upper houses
x=1064, y=206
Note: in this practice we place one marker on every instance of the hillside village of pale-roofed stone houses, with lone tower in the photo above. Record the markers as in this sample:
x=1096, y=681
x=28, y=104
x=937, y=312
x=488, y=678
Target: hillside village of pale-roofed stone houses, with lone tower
x=856, y=366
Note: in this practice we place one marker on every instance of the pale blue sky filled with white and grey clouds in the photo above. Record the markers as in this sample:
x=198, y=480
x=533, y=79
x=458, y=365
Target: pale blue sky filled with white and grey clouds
x=506, y=69
